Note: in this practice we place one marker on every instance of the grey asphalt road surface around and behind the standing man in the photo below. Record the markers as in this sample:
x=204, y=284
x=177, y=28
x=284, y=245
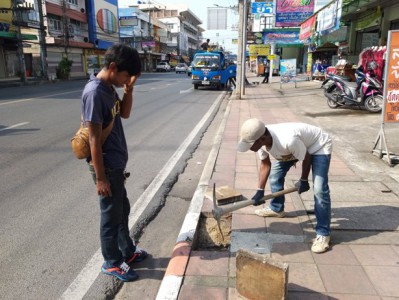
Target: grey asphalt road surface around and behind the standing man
x=49, y=214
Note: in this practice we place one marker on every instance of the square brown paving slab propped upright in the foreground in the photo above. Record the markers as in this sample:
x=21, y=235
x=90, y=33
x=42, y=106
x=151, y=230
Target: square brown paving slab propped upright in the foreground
x=260, y=277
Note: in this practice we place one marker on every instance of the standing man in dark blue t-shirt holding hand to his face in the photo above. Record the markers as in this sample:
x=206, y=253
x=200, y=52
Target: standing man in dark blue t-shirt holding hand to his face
x=103, y=109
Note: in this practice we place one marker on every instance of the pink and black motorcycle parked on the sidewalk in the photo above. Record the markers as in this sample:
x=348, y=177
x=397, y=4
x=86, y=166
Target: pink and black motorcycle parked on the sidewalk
x=365, y=93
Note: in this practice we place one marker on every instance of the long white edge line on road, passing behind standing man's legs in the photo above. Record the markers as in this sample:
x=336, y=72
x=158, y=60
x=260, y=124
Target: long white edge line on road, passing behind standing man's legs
x=82, y=283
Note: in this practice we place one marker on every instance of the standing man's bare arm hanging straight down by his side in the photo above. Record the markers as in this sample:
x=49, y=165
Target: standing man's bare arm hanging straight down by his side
x=102, y=183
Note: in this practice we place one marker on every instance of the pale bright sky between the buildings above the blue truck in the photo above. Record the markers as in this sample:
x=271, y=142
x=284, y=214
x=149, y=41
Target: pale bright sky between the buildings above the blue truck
x=199, y=8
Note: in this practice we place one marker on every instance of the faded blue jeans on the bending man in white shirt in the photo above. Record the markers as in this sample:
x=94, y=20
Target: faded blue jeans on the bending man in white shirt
x=320, y=167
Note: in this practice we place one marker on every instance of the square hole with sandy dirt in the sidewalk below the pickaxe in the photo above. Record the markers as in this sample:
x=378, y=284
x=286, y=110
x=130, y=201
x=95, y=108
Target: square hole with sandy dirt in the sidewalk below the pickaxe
x=208, y=234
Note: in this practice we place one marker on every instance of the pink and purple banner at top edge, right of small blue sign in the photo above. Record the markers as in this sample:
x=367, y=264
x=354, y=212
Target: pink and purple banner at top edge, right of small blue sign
x=290, y=13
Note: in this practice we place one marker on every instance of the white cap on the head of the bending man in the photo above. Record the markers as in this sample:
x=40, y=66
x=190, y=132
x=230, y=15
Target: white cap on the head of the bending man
x=251, y=130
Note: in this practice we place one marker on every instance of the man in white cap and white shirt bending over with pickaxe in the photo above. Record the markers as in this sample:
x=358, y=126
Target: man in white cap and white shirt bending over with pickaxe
x=289, y=143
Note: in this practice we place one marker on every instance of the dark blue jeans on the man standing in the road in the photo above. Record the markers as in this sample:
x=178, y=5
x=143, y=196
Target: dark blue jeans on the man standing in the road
x=116, y=243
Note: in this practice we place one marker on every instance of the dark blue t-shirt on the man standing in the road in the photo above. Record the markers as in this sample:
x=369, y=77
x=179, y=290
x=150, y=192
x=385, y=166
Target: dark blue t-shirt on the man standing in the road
x=99, y=103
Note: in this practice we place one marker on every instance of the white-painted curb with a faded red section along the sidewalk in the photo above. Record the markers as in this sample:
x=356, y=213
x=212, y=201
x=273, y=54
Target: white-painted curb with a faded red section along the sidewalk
x=174, y=274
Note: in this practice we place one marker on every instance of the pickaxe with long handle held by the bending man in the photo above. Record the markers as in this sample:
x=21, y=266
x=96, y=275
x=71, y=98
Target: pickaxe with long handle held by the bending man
x=217, y=211
